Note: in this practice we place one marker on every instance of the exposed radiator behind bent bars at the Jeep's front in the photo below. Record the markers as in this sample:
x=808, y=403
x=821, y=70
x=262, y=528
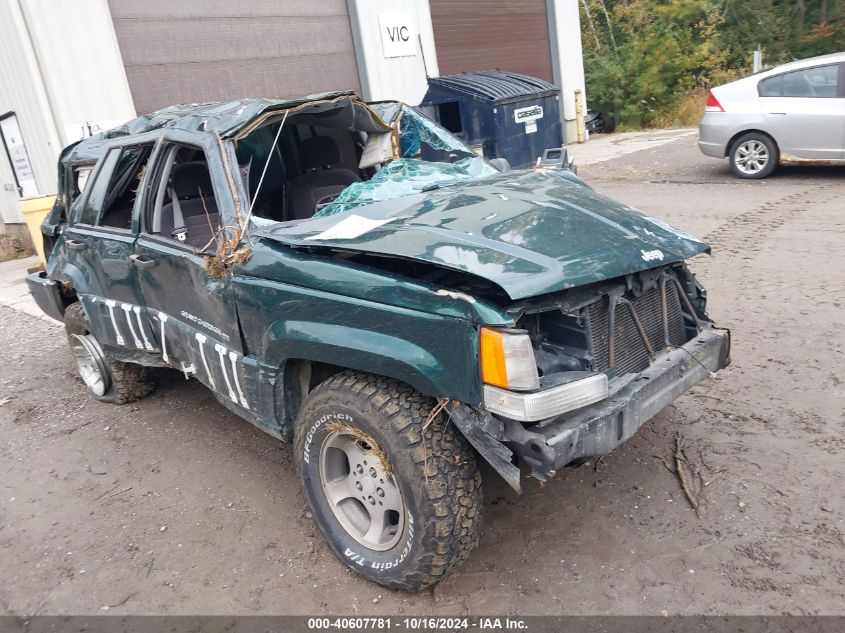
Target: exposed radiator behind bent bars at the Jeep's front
x=631, y=353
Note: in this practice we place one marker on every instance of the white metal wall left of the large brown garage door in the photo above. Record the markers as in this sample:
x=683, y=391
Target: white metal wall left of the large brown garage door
x=61, y=76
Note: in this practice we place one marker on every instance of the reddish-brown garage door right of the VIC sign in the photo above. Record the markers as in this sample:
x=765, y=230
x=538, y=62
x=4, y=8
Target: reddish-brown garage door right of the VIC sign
x=492, y=34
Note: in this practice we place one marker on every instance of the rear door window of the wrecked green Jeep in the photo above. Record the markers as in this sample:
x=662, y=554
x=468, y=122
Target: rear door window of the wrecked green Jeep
x=116, y=186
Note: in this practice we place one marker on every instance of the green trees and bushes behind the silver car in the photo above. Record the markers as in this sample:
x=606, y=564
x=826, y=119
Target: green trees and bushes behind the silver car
x=645, y=58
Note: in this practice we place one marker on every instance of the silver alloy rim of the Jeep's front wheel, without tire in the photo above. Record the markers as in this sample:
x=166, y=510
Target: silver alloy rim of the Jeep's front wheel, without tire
x=364, y=499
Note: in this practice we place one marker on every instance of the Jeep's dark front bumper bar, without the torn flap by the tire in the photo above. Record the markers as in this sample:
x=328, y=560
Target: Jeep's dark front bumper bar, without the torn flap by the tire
x=599, y=428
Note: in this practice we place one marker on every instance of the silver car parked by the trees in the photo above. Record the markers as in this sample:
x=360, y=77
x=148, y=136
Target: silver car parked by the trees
x=792, y=114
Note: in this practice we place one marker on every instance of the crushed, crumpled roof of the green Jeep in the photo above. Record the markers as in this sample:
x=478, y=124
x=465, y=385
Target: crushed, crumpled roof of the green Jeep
x=225, y=119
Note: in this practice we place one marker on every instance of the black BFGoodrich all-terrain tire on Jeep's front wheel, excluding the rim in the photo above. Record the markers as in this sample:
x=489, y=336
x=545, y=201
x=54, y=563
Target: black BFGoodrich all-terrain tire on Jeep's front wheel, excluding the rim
x=440, y=483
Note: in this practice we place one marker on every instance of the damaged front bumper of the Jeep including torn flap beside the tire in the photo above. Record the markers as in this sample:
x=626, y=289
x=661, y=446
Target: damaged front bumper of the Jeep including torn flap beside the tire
x=599, y=428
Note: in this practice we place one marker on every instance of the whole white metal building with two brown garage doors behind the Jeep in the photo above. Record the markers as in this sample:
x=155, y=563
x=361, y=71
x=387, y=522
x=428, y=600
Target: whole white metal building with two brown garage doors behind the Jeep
x=70, y=68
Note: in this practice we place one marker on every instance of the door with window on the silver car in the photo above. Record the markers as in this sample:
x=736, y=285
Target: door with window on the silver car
x=805, y=110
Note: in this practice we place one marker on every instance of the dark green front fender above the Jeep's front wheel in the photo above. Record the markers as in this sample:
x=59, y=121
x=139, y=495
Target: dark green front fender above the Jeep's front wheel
x=434, y=354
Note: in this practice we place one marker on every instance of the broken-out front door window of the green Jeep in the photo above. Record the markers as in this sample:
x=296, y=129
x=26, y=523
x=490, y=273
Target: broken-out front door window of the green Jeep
x=184, y=207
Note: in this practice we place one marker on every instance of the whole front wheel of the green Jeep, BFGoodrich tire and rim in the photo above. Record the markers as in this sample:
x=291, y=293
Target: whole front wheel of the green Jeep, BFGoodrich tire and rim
x=398, y=508
